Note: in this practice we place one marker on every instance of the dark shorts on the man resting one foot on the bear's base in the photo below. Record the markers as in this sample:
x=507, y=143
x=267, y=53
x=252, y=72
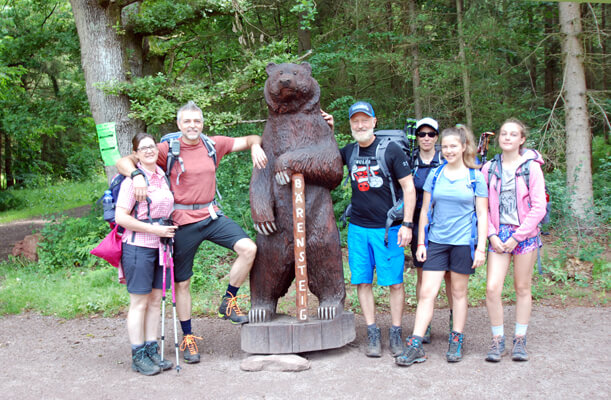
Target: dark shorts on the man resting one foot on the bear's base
x=222, y=231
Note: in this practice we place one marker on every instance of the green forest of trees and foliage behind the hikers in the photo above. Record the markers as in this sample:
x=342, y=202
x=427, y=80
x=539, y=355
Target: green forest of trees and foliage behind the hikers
x=66, y=66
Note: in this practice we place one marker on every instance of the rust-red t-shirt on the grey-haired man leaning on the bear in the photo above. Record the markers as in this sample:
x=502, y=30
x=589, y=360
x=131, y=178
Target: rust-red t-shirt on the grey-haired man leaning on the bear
x=197, y=184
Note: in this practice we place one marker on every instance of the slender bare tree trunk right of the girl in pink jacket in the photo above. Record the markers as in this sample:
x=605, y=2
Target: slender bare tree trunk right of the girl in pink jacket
x=578, y=134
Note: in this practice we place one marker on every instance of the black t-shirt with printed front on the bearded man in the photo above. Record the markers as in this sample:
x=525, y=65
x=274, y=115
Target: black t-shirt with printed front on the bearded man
x=371, y=195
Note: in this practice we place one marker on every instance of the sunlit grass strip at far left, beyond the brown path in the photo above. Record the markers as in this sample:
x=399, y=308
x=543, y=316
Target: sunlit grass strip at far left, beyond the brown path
x=54, y=199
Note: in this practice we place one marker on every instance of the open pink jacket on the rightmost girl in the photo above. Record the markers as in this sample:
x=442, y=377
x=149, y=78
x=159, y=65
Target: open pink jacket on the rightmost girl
x=531, y=204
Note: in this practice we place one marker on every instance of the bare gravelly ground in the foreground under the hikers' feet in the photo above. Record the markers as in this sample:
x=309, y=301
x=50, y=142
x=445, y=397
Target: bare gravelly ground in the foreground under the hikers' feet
x=44, y=357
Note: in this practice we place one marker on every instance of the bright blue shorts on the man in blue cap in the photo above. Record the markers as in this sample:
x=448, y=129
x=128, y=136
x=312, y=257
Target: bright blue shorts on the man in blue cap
x=366, y=252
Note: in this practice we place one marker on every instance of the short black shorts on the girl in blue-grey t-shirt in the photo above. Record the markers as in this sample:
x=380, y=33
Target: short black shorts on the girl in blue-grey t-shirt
x=448, y=257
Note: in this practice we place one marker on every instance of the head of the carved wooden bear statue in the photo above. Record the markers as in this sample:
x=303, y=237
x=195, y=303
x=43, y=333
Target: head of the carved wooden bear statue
x=290, y=88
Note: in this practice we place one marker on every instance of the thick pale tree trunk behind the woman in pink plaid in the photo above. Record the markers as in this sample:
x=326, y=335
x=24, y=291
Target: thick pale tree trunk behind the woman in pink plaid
x=104, y=60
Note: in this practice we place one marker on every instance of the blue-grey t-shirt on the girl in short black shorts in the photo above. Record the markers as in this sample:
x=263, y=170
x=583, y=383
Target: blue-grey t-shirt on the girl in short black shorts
x=453, y=207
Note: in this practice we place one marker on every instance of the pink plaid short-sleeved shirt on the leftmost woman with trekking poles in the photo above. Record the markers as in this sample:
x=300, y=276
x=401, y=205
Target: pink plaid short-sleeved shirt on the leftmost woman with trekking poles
x=162, y=203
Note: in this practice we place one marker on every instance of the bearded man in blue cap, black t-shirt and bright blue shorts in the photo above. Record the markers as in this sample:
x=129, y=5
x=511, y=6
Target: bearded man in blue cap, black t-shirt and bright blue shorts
x=371, y=200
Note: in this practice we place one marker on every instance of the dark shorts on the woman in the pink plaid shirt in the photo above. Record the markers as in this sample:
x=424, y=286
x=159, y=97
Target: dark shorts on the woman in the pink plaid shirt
x=142, y=269
